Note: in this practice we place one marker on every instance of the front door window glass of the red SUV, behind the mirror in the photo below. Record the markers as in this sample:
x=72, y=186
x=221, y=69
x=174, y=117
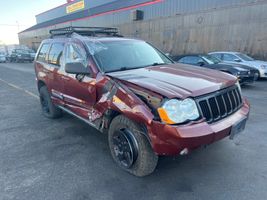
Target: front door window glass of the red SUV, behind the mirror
x=75, y=53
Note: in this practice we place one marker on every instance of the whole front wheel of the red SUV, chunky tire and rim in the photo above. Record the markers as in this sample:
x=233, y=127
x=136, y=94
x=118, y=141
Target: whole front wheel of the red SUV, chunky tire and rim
x=144, y=160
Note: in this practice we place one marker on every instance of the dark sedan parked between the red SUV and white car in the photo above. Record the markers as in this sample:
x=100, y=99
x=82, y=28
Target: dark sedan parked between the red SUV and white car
x=245, y=74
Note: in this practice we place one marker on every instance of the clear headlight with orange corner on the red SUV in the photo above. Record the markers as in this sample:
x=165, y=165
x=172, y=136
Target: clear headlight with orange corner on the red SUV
x=178, y=111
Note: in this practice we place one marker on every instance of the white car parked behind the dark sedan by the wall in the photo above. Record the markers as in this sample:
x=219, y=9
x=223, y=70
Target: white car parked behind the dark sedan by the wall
x=236, y=57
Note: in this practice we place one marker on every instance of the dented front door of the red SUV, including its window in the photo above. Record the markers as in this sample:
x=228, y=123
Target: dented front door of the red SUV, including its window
x=79, y=90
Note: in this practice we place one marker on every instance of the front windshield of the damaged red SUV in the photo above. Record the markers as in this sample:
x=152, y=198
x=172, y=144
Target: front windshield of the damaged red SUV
x=125, y=55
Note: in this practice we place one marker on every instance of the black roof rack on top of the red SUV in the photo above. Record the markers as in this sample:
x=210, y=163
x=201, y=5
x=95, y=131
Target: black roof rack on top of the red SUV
x=85, y=31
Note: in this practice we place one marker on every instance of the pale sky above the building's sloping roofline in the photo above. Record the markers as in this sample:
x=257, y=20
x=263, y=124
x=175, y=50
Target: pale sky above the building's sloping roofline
x=17, y=15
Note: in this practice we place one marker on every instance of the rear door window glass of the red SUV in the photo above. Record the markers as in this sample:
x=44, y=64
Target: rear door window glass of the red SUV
x=55, y=53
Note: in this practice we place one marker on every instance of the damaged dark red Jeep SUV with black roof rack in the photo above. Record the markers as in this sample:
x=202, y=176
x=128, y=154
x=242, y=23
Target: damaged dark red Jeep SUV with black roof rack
x=148, y=105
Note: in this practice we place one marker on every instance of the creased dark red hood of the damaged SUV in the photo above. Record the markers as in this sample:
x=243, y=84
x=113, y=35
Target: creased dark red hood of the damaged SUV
x=176, y=80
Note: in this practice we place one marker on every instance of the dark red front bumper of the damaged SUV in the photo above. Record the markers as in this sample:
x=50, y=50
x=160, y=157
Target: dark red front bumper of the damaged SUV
x=171, y=140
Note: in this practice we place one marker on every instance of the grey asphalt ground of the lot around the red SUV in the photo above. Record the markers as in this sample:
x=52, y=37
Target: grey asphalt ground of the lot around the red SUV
x=66, y=159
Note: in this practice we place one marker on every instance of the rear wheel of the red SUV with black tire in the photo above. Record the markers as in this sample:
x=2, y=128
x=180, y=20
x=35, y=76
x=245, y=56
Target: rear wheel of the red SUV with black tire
x=49, y=110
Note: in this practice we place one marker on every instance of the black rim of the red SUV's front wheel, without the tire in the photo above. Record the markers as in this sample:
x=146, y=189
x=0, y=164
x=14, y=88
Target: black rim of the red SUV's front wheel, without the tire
x=125, y=148
